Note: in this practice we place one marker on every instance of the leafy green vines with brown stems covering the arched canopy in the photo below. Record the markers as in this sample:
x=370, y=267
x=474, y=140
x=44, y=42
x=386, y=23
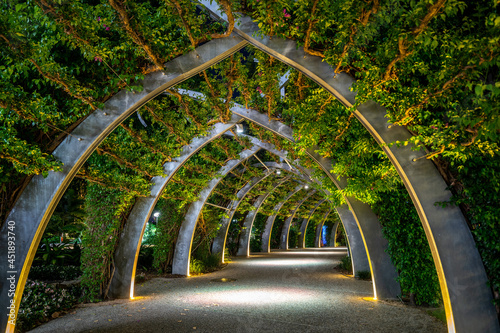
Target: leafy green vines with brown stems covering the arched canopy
x=434, y=65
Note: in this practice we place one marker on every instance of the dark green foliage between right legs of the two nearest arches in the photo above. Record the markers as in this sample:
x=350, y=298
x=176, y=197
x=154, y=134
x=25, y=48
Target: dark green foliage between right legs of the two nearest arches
x=408, y=247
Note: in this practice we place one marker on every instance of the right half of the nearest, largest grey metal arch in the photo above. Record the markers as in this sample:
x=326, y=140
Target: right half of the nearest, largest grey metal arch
x=464, y=284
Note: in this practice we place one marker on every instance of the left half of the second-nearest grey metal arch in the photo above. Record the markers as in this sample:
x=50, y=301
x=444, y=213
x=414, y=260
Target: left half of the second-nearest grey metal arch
x=127, y=252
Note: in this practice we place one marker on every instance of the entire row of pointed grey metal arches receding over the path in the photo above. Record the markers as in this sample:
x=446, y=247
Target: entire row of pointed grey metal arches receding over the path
x=463, y=281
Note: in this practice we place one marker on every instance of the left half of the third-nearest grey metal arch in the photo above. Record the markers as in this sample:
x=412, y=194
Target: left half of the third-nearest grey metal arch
x=182, y=253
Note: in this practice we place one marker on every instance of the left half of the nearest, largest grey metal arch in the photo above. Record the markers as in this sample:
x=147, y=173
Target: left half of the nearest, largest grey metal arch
x=36, y=204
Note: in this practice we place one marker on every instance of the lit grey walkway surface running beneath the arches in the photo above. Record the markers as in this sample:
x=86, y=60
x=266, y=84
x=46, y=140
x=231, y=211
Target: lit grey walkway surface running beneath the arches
x=293, y=291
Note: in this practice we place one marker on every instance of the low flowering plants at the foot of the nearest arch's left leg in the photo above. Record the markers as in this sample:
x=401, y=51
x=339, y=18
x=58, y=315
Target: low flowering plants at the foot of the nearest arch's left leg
x=40, y=302
